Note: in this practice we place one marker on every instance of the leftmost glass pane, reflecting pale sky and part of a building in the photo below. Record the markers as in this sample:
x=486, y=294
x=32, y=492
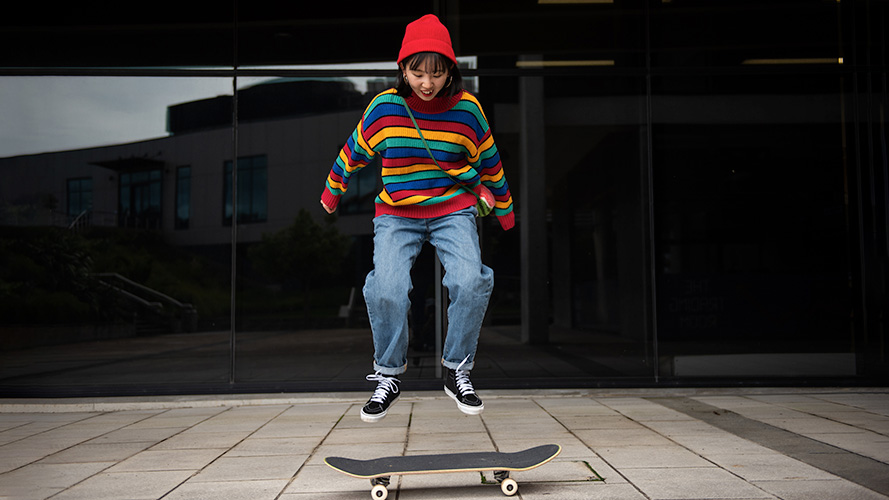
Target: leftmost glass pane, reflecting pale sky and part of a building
x=118, y=301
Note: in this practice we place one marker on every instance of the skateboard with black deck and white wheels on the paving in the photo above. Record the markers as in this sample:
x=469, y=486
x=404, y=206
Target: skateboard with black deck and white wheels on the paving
x=378, y=470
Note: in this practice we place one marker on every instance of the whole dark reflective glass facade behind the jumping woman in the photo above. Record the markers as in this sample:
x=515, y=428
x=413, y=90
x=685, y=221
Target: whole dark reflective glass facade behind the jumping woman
x=701, y=192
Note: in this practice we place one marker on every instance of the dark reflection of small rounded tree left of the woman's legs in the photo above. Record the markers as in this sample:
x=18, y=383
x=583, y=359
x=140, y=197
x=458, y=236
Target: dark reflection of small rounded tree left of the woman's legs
x=302, y=254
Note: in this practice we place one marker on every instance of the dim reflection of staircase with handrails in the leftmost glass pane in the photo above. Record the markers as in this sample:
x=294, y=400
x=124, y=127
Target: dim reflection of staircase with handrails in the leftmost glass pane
x=153, y=312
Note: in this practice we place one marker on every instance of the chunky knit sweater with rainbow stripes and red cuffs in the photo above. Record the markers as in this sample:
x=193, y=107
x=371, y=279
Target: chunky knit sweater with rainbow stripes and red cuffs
x=458, y=134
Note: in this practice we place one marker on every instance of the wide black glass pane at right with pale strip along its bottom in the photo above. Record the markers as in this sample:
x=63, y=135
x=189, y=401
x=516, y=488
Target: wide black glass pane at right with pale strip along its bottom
x=751, y=227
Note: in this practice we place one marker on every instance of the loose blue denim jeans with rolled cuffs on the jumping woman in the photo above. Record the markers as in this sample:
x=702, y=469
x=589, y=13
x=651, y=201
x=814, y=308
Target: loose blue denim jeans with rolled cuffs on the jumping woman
x=397, y=242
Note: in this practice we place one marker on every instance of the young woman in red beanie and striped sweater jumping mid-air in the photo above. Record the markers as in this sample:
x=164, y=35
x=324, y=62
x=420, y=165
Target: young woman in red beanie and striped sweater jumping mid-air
x=425, y=199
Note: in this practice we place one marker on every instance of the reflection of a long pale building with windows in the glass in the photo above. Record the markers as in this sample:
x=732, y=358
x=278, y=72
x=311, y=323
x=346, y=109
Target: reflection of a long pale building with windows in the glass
x=181, y=184
